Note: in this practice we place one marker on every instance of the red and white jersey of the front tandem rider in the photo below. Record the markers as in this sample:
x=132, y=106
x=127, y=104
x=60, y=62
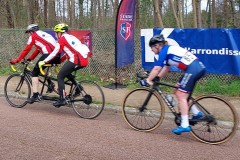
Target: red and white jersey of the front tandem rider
x=44, y=42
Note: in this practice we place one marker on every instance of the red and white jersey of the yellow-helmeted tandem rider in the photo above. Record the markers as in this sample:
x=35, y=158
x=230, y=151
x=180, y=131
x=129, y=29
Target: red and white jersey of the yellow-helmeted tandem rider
x=74, y=50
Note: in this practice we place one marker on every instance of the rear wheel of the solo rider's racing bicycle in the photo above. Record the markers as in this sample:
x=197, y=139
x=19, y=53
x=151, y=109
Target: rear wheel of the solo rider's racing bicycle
x=222, y=123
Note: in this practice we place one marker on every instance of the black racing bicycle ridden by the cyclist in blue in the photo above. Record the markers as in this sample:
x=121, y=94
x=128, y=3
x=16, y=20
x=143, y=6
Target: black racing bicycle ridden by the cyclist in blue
x=144, y=109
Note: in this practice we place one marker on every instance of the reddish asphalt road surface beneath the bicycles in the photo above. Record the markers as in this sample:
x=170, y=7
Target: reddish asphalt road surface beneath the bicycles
x=41, y=131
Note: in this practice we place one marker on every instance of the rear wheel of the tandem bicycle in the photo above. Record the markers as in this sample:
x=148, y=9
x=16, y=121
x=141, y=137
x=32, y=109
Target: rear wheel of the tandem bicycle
x=90, y=102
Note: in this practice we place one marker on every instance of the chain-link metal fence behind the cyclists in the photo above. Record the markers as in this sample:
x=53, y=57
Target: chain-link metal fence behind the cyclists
x=102, y=63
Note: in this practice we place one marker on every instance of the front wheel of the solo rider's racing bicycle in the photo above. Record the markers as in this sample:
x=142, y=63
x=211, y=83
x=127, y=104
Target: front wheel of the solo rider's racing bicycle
x=147, y=118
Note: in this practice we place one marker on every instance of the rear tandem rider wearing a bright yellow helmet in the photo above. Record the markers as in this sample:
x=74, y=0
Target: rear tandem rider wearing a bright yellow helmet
x=76, y=53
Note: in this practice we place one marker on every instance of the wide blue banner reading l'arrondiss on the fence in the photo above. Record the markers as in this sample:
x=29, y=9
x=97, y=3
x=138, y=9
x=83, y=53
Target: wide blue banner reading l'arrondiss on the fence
x=218, y=49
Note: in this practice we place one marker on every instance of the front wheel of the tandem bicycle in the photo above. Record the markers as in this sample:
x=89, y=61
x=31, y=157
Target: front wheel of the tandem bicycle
x=17, y=90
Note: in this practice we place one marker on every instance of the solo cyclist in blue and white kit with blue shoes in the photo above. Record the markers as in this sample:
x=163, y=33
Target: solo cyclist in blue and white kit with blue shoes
x=166, y=56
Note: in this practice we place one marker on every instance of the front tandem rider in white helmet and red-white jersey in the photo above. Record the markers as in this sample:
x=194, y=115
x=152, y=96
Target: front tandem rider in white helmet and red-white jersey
x=45, y=44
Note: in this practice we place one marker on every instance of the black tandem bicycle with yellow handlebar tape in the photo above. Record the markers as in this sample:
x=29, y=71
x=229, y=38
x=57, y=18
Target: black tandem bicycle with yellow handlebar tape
x=88, y=104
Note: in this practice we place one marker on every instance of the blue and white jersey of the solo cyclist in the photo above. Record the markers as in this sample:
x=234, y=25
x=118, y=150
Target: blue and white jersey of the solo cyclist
x=174, y=56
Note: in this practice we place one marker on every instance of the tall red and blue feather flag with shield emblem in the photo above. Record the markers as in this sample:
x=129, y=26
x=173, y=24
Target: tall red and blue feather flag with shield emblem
x=124, y=36
